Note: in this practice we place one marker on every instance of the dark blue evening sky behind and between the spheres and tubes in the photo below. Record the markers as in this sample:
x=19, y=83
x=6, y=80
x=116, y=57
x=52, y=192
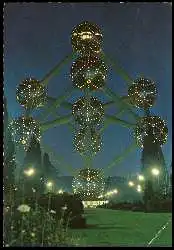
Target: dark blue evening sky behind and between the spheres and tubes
x=139, y=36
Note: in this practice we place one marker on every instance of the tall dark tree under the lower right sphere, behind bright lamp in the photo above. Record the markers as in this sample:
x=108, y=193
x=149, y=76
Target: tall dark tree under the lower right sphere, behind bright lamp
x=152, y=156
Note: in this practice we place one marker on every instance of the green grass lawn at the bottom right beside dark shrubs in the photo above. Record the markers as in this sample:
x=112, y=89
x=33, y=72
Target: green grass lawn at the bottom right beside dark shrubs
x=123, y=228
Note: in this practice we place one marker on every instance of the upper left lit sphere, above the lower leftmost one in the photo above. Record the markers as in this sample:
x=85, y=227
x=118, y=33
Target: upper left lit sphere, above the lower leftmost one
x=31, y=94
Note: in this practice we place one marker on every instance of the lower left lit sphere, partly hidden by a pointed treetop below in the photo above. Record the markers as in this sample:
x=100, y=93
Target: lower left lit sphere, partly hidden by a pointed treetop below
x=23, y=129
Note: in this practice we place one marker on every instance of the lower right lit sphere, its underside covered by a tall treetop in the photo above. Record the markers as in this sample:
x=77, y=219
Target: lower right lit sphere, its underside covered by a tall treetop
x=153, y=126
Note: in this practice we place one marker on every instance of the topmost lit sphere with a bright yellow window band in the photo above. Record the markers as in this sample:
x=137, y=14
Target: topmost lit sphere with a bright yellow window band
x=86, y=38
